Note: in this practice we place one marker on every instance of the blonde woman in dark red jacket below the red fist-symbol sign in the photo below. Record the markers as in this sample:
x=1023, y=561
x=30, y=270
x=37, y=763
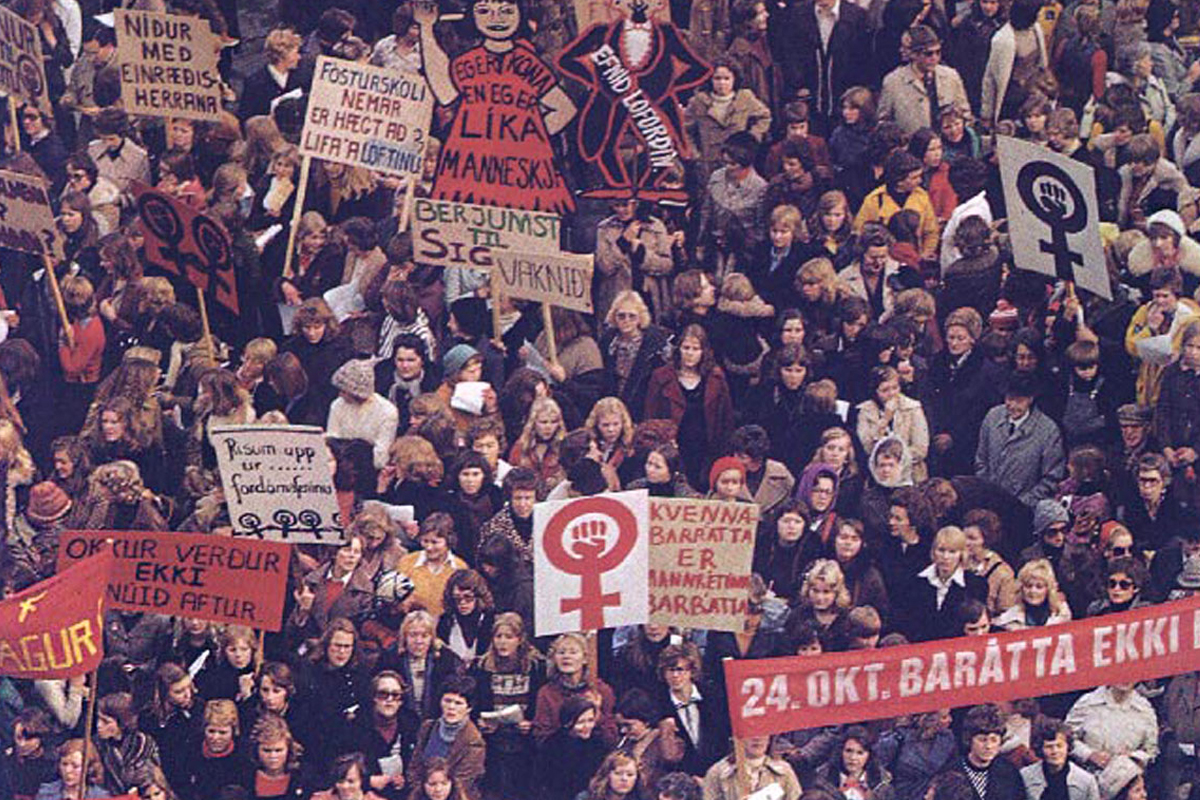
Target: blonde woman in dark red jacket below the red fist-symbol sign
x=568, y=676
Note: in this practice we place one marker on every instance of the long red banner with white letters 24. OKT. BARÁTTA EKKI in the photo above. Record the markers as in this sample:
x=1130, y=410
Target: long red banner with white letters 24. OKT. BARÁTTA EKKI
x=791, y=694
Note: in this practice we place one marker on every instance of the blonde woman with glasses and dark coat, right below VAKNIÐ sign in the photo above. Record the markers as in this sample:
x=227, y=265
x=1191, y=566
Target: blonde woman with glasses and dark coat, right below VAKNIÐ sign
x=633, y=350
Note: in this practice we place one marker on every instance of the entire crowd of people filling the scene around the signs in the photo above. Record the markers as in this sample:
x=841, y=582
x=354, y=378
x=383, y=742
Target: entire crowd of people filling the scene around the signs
x=832, y=327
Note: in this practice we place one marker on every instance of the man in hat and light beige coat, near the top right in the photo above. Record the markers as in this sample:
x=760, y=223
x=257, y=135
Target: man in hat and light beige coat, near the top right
x=914, y=94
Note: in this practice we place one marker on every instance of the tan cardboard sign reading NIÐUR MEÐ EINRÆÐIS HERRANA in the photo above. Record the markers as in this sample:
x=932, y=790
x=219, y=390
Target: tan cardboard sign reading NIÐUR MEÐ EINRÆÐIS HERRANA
x=169, y=65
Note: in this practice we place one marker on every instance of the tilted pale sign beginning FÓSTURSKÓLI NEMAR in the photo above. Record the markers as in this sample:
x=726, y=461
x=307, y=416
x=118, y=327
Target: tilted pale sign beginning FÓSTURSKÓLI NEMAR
x=368, y=117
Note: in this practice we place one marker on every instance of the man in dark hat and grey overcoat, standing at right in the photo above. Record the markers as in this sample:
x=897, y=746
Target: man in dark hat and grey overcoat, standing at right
x=1021, y=448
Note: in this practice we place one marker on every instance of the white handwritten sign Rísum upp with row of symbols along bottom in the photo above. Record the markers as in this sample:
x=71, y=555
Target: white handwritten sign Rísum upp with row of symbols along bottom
x=279, y=484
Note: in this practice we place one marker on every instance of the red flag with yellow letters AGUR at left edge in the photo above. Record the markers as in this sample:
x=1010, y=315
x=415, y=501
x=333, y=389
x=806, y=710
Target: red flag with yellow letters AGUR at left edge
x=56, y=629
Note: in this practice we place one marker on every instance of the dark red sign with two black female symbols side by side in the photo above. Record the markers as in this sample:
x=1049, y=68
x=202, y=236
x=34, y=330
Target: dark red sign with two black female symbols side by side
x=184, y=242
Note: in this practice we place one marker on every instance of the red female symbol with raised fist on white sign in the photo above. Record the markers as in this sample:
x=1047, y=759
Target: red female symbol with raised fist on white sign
x=590, y=549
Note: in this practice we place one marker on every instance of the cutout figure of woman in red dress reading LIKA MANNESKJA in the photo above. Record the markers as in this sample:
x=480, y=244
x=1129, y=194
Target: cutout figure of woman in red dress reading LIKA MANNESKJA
x=499, y=151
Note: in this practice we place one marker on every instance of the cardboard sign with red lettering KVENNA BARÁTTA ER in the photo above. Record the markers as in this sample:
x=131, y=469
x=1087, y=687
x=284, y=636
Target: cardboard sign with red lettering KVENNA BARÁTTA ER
x=701, y=554
